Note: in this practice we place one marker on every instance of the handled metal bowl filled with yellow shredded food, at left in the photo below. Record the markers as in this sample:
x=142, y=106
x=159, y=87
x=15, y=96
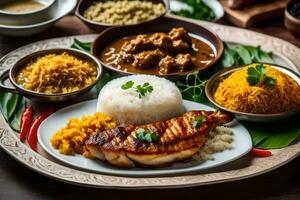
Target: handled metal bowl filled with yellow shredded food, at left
x=52, y=75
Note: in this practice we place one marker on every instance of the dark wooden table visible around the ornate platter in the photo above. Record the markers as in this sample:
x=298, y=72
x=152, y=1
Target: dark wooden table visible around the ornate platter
x=18, y=182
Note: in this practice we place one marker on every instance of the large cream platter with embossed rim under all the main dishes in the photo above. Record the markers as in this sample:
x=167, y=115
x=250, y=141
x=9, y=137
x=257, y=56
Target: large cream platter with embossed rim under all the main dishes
x=285, y=53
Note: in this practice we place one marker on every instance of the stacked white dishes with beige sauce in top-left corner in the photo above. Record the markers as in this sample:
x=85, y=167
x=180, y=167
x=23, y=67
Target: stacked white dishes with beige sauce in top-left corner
x=15, y=21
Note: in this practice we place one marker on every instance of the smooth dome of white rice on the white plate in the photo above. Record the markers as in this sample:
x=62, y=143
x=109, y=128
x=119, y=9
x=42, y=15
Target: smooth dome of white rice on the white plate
x=125, y=106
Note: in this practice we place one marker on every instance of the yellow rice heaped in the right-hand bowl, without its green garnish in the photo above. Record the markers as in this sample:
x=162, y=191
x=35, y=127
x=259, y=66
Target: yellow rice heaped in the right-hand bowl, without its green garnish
x=235, y=93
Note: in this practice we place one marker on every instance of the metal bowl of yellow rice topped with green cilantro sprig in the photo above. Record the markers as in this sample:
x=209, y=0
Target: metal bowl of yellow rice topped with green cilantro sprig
x=256, y=92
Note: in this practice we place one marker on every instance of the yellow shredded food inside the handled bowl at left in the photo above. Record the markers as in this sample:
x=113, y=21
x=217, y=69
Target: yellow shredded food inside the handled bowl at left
x=57, y=73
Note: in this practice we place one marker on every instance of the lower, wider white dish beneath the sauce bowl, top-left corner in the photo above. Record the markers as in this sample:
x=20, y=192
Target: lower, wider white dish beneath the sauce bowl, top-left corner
x=63, y=8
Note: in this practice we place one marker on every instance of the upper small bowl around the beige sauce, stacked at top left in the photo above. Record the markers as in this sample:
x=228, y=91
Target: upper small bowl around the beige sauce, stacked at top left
x=26, y=18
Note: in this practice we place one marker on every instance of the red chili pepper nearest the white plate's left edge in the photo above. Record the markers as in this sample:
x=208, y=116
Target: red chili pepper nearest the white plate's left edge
x=32, y=135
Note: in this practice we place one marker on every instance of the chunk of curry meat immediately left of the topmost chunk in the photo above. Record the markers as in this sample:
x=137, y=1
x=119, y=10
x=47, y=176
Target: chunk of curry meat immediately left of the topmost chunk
x=161, y=41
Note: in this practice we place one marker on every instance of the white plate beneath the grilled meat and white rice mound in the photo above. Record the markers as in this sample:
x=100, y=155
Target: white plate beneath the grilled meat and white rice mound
x=241, y=145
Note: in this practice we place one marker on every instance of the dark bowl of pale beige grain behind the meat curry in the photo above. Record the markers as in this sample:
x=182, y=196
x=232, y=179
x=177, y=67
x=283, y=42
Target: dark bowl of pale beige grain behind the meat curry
x=103, y=14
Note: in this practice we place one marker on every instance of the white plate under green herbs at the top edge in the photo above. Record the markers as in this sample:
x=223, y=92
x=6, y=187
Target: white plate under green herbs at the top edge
x=215, y=5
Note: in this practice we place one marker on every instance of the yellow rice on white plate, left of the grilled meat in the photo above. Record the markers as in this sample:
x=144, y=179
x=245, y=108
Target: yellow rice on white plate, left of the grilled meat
x=71, y=139
